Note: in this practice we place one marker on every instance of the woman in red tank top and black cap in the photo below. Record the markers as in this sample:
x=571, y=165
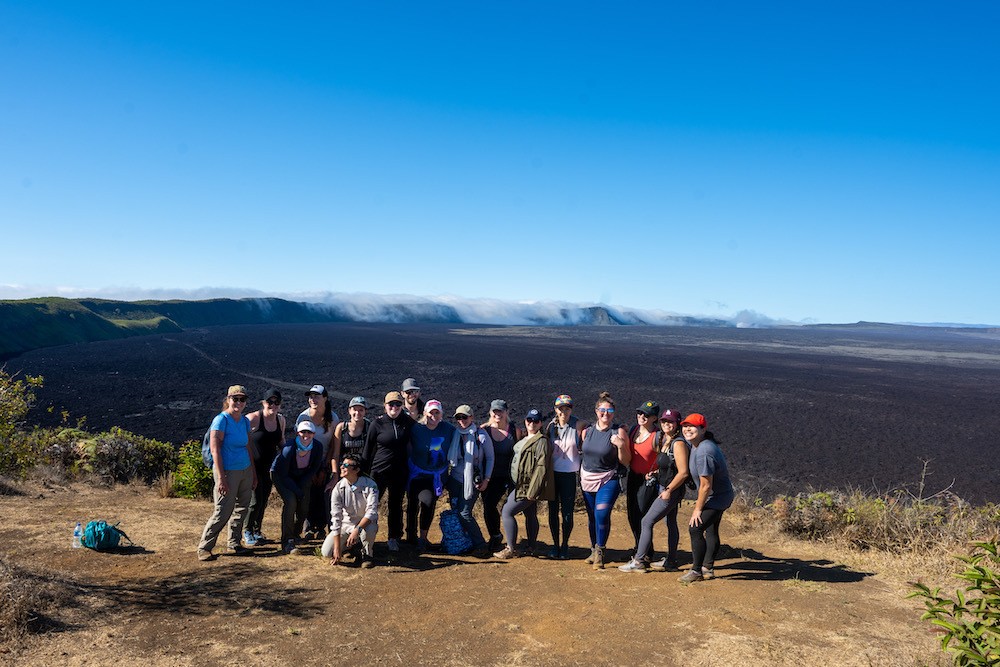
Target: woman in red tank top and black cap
x=641, y=488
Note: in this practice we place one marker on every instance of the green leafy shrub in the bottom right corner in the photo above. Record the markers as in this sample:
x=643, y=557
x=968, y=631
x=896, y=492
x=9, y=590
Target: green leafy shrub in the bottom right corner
x=969, y=621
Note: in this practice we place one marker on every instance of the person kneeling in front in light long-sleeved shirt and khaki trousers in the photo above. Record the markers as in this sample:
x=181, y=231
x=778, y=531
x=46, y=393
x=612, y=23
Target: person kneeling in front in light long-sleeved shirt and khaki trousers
x=354, y=514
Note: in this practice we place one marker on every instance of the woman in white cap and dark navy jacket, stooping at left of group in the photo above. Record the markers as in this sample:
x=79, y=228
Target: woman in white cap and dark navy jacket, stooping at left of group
x=292, y=472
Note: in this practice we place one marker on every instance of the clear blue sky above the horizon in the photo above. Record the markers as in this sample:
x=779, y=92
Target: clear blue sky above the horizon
x=825, y=162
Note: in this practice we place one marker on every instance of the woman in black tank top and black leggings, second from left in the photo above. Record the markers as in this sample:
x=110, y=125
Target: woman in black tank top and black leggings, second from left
x=267, y=433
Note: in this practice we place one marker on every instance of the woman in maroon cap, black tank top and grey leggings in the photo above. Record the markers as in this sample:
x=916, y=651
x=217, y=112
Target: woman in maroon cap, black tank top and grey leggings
x=671, y=476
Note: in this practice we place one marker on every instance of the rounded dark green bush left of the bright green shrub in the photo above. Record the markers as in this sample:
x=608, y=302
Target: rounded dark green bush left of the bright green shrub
x=120, y=456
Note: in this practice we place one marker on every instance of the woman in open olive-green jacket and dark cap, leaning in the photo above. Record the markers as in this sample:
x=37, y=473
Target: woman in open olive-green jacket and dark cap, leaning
x=531, y=470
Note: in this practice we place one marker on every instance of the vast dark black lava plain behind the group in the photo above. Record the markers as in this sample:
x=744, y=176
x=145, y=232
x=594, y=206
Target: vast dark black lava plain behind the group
x=796, y=408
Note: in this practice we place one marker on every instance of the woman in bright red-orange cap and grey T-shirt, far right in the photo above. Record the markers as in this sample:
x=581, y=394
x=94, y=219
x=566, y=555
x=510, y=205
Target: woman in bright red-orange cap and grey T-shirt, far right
x=710, y=472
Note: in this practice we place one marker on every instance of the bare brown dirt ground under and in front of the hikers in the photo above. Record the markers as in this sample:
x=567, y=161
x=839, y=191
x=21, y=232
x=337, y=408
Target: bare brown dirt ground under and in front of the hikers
x=775, y=602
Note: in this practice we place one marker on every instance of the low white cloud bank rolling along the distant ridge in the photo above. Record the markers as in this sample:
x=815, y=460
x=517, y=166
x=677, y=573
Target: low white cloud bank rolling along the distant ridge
x=364, y=307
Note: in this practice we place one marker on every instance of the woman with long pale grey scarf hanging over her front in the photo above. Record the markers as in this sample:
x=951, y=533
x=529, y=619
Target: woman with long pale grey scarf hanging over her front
x=470, y=456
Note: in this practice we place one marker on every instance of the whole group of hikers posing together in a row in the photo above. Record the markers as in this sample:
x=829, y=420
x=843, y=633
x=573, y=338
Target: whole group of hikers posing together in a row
x=331, y=476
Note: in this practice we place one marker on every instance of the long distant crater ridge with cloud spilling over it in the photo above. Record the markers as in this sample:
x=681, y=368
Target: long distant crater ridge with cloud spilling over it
x=29, y=324
